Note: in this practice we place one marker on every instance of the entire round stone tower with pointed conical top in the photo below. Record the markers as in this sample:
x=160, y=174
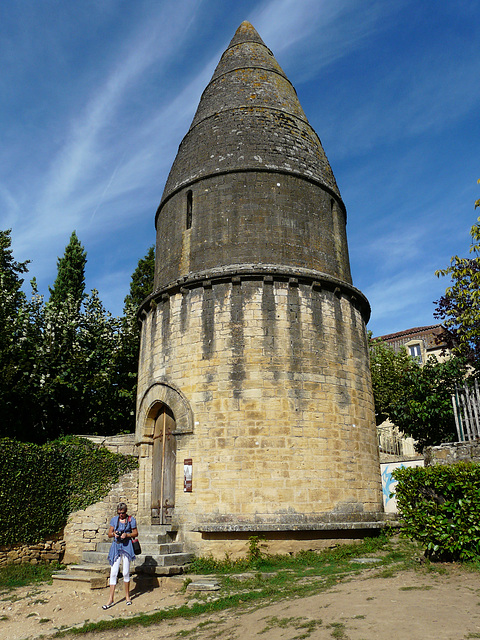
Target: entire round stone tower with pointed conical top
x=255, y=412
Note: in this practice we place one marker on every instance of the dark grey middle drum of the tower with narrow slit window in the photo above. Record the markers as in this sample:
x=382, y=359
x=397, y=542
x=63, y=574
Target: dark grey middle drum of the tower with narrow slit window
x=251, y=217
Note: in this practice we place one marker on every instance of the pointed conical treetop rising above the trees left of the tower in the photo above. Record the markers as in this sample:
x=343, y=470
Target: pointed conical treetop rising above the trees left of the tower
x=70, y=280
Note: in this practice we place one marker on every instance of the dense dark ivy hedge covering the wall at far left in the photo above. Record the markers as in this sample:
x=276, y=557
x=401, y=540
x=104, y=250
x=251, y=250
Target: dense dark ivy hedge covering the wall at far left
x=40, y=485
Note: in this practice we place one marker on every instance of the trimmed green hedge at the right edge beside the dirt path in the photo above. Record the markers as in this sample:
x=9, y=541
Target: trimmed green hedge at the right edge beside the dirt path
x=440, y=507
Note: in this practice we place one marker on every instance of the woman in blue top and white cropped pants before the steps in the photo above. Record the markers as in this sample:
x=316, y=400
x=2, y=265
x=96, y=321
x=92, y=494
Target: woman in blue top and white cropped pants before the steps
x=122, y=529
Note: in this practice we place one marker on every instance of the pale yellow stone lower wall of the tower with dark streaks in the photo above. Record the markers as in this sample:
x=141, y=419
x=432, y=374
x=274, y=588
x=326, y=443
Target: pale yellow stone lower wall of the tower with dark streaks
x=275, y=374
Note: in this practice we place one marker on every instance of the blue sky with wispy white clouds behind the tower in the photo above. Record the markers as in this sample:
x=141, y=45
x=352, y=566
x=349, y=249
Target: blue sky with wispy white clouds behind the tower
x=96, y=97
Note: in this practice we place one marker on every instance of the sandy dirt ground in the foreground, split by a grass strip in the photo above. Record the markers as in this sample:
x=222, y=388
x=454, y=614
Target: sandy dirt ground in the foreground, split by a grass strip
x=412, y=605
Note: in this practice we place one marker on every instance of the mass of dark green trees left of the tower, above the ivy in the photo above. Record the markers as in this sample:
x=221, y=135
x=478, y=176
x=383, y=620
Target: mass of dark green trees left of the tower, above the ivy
x=67, y=366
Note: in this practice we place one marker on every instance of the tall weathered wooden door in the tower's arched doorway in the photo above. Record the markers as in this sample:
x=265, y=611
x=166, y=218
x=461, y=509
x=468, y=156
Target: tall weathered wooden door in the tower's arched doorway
x=164, y=459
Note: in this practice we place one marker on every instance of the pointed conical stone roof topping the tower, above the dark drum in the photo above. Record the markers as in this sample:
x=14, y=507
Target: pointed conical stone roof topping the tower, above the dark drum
x=249, y=118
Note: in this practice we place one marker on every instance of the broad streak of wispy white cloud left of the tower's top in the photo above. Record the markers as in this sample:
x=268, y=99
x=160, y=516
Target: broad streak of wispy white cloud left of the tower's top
x=82, y=173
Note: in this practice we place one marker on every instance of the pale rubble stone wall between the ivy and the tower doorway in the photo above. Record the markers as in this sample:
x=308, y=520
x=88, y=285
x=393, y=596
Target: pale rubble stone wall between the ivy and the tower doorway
x=88, y=526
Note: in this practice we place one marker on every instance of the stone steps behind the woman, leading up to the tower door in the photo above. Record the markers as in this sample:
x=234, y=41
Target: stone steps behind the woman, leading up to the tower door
x=161, y=556
